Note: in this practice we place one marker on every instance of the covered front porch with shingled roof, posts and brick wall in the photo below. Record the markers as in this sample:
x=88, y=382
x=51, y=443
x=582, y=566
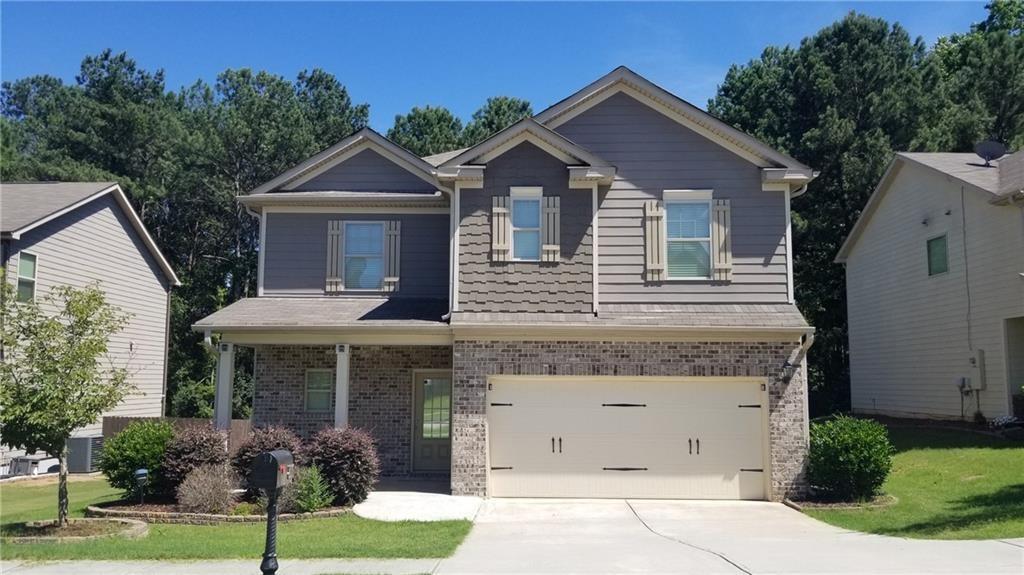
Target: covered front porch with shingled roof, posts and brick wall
x=382, y=366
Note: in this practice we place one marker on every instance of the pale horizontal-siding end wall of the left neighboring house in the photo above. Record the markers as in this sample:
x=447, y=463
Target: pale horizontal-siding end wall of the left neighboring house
x=97, y=243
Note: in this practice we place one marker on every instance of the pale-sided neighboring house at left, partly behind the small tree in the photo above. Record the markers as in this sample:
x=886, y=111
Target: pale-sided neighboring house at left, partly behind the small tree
x=76, y=234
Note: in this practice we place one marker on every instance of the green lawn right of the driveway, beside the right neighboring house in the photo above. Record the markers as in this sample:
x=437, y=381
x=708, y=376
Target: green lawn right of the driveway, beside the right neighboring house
x=951, y=484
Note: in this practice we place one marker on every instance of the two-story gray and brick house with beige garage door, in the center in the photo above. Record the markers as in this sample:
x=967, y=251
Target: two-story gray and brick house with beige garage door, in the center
x=595, y=302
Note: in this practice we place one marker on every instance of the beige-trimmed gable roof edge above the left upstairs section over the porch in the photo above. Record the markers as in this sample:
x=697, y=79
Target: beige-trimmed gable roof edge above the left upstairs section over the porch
x=365, y=139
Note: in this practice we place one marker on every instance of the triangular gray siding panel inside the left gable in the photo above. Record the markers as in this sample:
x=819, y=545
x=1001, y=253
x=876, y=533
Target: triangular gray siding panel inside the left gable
x=367, y=171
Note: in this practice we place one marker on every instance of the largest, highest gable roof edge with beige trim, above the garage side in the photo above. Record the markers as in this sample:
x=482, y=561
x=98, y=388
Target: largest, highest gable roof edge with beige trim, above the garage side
x=625, y=80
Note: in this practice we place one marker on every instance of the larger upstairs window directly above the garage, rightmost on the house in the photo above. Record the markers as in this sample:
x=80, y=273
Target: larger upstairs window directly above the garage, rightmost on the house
x=689, y=234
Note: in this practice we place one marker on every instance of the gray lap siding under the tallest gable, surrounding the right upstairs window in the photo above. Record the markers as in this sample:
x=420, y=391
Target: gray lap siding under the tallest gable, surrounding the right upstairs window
x=654, y=154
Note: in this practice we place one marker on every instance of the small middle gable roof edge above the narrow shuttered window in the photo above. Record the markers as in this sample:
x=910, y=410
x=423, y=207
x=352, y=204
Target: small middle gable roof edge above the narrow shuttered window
x=525, y=130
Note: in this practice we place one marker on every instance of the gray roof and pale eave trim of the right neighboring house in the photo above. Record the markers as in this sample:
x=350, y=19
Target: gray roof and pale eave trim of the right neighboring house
x=996, y=182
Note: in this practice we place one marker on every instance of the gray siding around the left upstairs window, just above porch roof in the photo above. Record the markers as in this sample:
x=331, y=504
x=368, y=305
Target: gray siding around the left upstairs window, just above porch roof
x=295, y=262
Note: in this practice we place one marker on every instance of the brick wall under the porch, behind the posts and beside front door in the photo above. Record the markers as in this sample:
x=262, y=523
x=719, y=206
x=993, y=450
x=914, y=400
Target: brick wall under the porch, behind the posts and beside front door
x=380, y=392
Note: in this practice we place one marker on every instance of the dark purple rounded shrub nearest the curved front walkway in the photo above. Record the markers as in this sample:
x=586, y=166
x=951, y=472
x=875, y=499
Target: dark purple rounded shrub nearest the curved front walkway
x=348, y=460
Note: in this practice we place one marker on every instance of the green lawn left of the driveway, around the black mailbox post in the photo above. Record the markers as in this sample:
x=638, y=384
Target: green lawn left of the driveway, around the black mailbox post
x=348, y=537
